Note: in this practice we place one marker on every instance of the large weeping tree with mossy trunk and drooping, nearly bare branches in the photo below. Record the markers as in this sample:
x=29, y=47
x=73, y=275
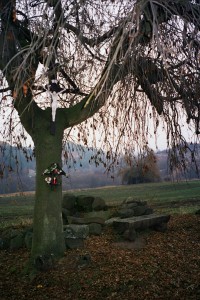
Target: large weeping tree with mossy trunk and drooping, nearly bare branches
x=127, y=62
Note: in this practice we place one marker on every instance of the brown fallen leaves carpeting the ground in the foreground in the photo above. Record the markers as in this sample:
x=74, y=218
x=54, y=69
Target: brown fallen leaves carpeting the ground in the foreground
x=167, y=267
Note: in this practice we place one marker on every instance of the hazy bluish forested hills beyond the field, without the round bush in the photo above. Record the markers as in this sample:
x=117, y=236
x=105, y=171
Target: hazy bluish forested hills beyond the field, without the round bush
x=85, y=168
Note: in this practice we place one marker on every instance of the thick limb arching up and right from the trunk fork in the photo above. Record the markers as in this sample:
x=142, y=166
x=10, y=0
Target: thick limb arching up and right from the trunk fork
x=92, y=103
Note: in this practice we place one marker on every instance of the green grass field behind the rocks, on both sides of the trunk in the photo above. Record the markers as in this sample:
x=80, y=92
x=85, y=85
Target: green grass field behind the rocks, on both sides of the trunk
x=179, y=197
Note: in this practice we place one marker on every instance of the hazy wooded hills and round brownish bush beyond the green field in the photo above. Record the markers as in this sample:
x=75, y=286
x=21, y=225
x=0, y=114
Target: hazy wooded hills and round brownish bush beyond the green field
x=17, y=171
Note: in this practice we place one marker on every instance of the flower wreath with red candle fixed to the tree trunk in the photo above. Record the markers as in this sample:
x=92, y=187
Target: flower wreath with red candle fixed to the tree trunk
x=54, y=171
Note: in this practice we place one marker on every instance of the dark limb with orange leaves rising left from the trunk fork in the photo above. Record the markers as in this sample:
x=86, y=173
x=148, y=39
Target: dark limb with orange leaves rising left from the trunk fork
x=19, y=79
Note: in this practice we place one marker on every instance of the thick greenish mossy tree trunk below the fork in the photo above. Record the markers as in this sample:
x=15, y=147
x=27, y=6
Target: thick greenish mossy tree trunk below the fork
x=47, y=228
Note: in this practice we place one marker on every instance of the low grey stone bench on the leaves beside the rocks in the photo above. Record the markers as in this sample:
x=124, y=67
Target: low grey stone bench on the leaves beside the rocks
x=128, y=226
